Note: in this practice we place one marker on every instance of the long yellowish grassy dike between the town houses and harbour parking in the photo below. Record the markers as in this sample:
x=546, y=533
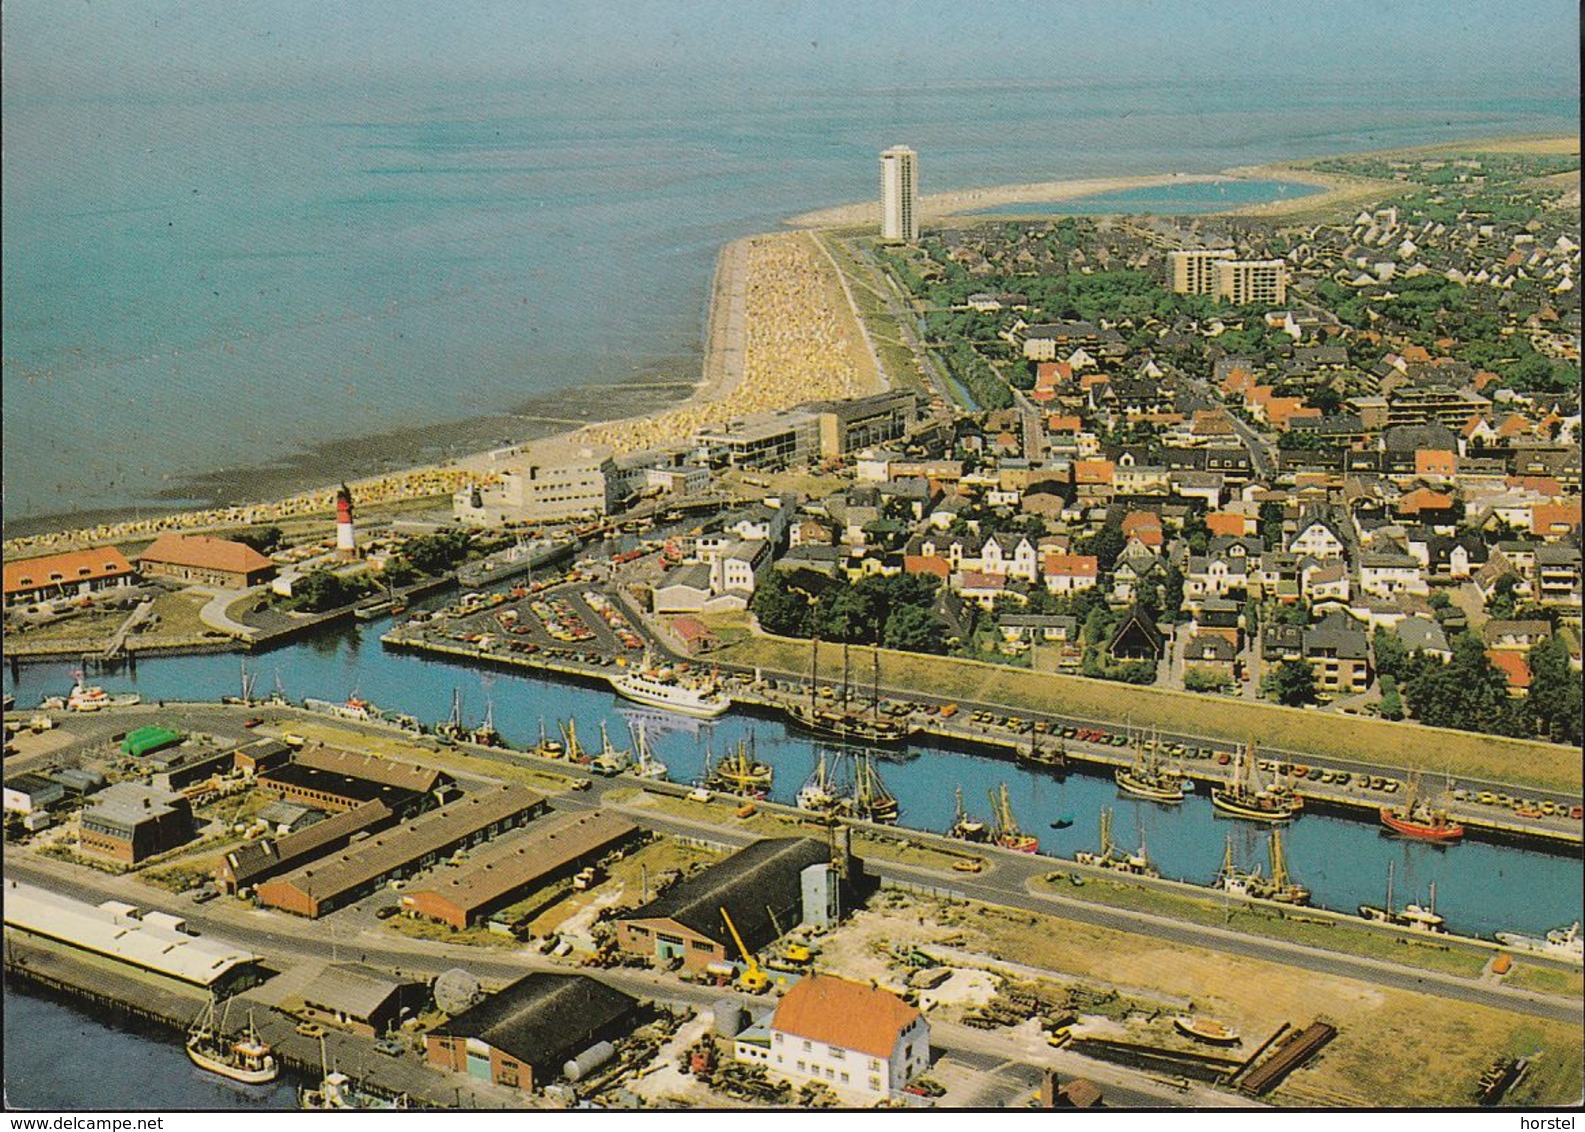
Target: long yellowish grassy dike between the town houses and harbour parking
x=1315, y=735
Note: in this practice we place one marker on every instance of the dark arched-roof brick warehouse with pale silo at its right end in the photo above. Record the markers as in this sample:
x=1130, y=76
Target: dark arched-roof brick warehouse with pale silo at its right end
x=768, y=889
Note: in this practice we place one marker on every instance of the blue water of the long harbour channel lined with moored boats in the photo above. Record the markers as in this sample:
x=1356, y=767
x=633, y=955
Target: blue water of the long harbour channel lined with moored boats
x=1481, y=887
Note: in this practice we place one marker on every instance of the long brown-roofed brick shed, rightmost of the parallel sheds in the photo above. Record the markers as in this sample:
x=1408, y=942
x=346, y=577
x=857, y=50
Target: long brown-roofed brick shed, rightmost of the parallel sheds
x=516, y=865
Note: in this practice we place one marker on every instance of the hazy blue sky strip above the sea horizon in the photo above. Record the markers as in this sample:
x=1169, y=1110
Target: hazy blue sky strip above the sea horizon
x=150, y=47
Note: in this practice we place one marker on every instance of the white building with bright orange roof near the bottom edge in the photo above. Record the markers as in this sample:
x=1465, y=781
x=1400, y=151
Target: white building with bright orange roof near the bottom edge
x=857, y=1039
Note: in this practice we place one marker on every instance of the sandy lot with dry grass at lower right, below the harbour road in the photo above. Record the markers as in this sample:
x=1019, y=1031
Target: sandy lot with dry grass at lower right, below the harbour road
x=1392, y=1049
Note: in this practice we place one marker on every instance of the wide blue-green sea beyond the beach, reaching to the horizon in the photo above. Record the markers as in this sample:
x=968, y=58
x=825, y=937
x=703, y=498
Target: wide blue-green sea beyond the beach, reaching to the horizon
x=218, y=280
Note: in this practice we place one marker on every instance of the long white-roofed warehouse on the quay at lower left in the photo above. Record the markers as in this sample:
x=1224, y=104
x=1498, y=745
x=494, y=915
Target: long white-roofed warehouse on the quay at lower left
x=156, y=943
